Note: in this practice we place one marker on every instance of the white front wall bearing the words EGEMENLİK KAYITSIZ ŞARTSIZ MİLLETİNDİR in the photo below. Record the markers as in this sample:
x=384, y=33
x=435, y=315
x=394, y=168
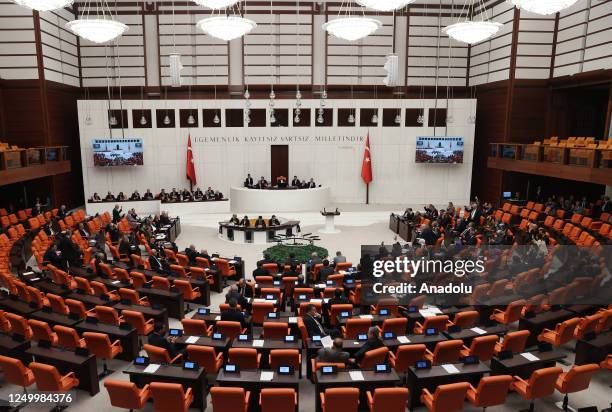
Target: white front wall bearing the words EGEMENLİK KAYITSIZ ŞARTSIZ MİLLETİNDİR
x=332, y=155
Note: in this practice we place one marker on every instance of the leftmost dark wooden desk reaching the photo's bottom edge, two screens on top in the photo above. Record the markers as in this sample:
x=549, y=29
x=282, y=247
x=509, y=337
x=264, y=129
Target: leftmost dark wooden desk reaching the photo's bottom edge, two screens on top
x=196, y=380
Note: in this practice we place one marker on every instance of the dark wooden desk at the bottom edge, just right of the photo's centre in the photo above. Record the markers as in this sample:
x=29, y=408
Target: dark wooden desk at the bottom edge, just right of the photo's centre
x=371, y=380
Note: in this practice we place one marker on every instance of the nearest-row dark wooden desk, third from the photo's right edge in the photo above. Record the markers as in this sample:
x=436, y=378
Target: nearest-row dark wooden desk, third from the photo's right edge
x=417, y=380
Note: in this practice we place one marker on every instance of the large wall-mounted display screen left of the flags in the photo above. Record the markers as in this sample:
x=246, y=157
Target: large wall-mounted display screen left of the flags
x=117, y=152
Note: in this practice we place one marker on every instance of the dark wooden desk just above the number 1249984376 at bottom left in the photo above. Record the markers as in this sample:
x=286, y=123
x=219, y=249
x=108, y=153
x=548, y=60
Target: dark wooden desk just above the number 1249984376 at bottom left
x=84, y=367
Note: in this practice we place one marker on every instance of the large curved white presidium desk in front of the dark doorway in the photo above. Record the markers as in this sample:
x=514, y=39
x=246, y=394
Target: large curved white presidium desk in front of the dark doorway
x=268, y=201
